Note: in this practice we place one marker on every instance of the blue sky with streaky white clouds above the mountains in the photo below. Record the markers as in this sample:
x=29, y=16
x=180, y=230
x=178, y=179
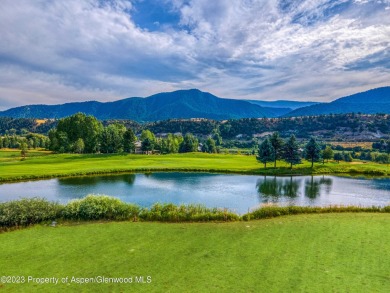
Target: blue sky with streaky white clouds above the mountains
x=55, y=51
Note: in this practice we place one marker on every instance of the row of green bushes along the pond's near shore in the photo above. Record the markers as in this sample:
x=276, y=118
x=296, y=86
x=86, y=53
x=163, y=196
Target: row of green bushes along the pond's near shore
x=25, y=212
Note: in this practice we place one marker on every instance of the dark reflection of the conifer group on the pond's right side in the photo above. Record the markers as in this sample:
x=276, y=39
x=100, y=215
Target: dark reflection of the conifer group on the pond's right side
x=271, y=189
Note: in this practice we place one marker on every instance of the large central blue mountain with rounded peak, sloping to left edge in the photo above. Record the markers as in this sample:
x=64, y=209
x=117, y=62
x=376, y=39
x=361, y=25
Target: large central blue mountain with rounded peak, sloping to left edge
x=178, y=104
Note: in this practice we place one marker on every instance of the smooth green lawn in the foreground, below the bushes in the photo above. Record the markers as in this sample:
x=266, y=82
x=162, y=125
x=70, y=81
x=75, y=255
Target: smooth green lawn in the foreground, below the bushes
x=304, y=253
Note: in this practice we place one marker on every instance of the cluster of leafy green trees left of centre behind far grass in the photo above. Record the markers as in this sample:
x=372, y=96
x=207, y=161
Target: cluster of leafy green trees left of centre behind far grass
x=80, y=133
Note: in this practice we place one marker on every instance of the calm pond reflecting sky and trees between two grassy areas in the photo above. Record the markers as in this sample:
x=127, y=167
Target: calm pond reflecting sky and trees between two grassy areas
x=239, y=193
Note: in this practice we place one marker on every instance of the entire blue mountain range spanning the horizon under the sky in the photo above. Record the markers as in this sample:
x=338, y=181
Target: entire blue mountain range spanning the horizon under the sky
x=197, y=104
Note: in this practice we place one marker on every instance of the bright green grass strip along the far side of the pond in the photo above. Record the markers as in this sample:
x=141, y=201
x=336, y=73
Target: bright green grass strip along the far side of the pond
x=60, y=165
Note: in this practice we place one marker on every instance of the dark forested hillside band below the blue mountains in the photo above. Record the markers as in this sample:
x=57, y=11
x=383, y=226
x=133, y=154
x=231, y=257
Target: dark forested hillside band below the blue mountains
x=336, y=127
